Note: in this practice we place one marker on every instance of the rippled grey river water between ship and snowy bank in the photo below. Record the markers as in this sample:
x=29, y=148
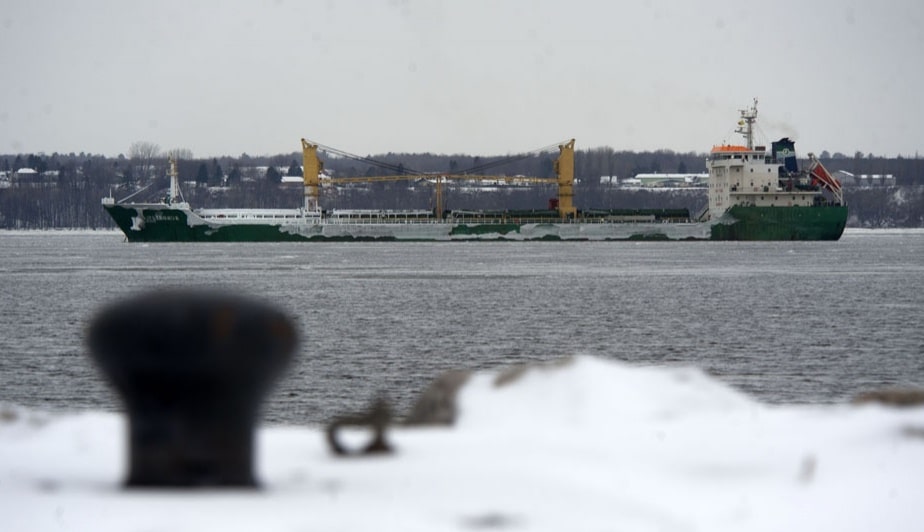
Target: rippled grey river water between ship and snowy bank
x=786, y=322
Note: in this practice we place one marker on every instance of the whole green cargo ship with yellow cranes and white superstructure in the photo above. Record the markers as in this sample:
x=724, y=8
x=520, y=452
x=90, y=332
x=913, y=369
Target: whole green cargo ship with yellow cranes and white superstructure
x=754, y=194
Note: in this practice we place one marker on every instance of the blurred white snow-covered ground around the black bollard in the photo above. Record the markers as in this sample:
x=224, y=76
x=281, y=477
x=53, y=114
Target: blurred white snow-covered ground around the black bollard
x=591, y=445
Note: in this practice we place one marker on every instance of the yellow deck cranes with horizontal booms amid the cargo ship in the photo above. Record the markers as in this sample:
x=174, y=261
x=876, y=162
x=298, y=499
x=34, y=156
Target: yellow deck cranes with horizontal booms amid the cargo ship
x=564, y=170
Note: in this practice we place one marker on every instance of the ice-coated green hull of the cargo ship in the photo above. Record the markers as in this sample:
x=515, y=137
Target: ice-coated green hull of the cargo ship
x=166, y=223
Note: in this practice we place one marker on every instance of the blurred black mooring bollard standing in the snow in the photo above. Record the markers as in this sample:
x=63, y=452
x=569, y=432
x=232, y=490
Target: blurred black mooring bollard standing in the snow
x=192, y=368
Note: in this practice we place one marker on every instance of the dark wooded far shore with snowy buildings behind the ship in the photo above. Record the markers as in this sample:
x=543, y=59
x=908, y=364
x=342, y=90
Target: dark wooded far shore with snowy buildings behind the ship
x=65, y=190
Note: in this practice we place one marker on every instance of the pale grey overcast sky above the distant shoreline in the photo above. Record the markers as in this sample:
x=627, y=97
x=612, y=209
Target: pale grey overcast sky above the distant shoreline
x=458, y=76
